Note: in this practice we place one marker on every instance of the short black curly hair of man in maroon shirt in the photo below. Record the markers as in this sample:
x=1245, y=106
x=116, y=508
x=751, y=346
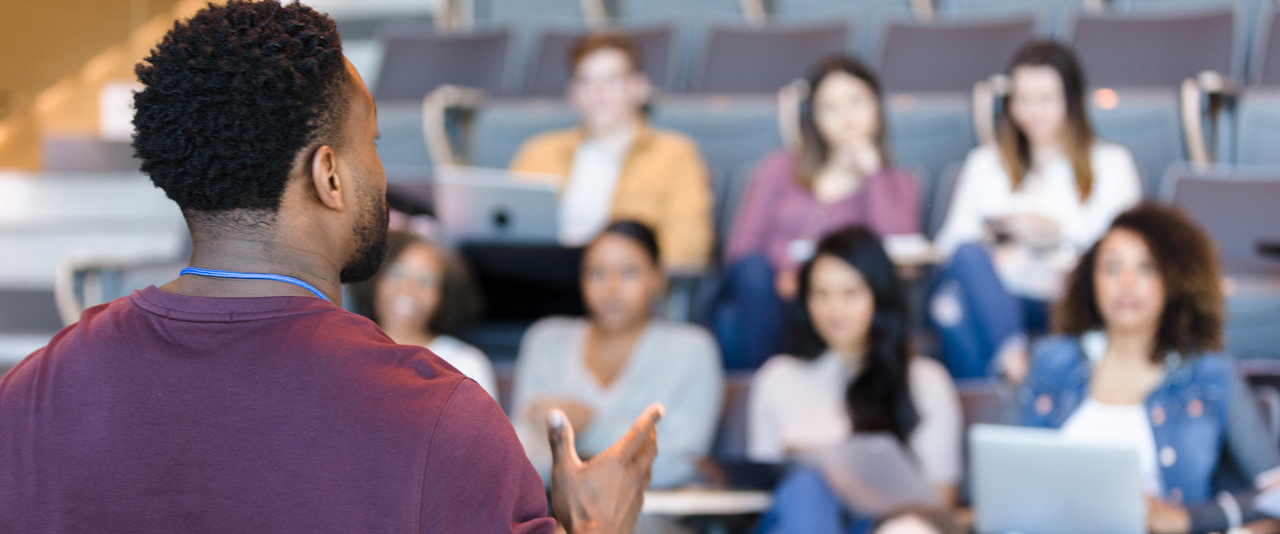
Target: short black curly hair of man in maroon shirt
x=232, y=95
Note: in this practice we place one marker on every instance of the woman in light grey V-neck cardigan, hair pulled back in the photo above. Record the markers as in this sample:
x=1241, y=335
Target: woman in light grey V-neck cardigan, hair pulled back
x=606, y=369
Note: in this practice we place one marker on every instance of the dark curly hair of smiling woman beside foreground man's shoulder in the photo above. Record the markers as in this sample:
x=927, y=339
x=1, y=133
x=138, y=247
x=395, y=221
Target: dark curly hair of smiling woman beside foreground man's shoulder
x=461, y=302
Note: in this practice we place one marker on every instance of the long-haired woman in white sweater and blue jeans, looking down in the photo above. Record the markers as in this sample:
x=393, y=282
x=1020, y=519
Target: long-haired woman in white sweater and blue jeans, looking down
x=1043, y=191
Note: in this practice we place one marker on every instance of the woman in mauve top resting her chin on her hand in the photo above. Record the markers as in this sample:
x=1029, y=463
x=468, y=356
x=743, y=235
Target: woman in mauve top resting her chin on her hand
x=842, y=176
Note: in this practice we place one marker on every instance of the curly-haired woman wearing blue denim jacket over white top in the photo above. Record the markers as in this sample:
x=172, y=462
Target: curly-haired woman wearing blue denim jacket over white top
x=1139, y=366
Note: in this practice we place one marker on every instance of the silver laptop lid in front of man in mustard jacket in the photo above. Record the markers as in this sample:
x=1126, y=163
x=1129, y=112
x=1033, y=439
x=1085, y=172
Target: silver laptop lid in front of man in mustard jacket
x=481, y=206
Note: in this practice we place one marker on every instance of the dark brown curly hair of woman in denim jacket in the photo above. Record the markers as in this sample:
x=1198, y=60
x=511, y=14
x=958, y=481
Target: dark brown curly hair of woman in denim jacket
x=1187, y=261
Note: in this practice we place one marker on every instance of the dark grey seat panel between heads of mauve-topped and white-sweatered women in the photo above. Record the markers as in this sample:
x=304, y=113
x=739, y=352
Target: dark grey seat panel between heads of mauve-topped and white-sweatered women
x=949, y=56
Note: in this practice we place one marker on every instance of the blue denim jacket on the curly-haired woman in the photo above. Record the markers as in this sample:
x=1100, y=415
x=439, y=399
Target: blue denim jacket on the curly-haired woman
x=1200, y=414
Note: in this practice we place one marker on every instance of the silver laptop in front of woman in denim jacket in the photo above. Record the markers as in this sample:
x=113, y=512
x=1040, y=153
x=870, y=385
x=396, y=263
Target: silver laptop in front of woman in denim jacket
x=1034, y=482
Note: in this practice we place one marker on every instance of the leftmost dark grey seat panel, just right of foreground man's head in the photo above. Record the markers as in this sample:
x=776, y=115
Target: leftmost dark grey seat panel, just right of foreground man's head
x=417, y=61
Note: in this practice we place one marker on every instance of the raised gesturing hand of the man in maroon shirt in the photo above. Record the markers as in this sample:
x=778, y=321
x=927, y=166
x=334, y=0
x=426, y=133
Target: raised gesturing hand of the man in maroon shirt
x=602, y=496
